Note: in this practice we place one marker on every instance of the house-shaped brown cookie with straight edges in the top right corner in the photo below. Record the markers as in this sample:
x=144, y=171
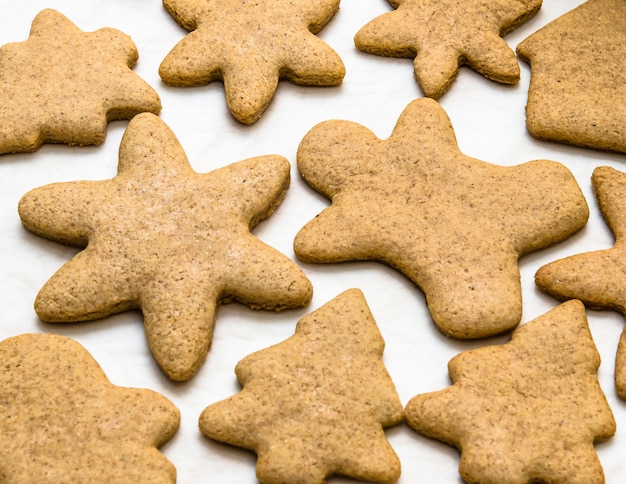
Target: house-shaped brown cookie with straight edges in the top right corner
x=577, y=92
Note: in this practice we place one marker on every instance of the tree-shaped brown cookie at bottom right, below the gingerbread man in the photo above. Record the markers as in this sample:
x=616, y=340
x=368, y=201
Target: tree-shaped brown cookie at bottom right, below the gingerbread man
x=526, y=411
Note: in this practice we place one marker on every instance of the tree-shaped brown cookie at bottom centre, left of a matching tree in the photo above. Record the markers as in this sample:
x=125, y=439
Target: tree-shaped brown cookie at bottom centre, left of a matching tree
x=315, y=404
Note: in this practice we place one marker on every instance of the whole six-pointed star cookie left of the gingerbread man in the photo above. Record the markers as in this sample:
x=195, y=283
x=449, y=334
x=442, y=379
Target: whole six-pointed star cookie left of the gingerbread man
x=165, y=239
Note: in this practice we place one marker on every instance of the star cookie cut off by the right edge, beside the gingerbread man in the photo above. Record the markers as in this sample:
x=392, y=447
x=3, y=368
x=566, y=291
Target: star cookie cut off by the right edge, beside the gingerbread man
x=598, y=278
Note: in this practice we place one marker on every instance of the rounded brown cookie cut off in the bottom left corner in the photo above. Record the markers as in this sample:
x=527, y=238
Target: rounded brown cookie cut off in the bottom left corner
x=61, y=420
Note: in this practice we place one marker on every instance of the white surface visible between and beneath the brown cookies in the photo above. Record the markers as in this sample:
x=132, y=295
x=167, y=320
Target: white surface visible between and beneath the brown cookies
x=489, y=123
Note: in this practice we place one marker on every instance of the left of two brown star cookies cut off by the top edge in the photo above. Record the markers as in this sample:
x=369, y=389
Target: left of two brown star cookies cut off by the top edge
x=250, y=45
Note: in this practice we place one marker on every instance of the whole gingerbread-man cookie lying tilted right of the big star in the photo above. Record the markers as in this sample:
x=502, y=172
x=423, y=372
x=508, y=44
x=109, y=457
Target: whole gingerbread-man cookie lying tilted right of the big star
x=454, y=225
